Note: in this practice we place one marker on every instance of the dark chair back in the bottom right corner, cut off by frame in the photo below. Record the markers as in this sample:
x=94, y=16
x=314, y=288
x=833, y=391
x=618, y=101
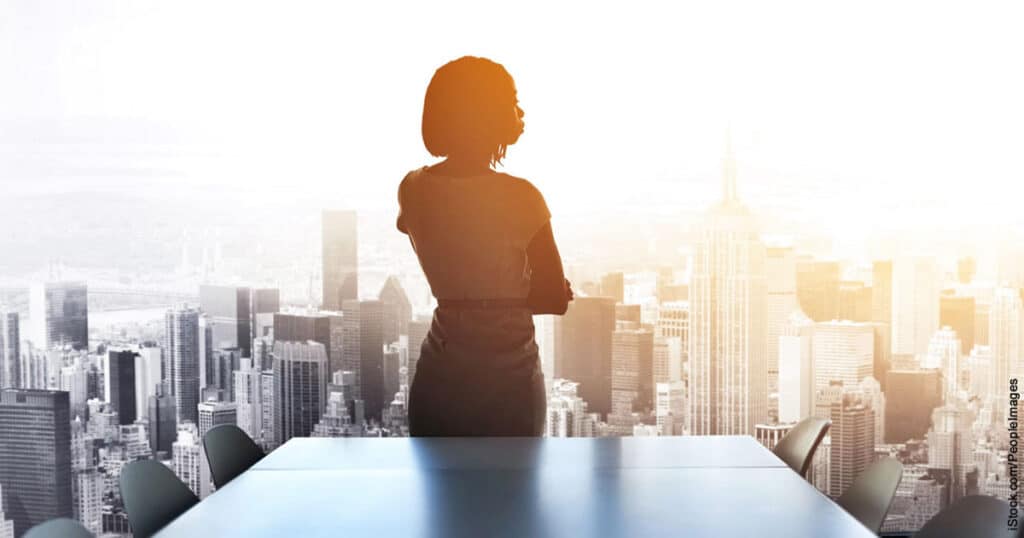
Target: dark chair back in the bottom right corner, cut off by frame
x=974, y=516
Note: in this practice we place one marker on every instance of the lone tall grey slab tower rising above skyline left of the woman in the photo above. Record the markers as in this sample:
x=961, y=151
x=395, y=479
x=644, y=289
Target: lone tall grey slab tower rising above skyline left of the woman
x=340, y=259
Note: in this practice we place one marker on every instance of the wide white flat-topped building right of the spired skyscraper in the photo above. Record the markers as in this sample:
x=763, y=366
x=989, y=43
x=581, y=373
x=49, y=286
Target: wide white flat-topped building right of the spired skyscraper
x=844, y=352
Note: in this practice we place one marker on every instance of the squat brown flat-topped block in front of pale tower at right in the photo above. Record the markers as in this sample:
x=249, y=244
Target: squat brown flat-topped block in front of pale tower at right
x=911, y=398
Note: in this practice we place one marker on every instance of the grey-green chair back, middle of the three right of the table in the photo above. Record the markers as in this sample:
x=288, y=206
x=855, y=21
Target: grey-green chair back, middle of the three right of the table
x=873, y=492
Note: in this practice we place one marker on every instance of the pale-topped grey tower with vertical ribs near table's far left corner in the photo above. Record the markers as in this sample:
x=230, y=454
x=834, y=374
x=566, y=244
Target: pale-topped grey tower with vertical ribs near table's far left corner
x=300, y=387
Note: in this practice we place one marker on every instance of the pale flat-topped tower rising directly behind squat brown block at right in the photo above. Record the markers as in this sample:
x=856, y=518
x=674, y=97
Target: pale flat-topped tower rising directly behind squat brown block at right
x=916, y=305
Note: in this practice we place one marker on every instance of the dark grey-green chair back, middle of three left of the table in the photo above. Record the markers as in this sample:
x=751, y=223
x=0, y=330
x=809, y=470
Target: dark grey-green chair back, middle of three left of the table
x=153, y=496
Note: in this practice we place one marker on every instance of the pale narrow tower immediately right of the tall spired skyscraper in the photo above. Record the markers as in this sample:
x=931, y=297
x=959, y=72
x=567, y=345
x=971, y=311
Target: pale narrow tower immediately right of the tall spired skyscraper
x=781, y=264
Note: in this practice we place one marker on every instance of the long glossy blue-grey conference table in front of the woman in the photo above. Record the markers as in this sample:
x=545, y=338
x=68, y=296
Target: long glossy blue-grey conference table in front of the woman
x=644, y=486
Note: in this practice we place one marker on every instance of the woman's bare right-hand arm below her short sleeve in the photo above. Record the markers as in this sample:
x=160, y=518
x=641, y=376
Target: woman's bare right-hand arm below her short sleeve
x=549, y=292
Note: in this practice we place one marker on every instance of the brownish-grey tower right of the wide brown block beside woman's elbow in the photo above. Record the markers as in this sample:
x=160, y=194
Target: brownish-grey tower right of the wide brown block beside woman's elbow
x=632, y=373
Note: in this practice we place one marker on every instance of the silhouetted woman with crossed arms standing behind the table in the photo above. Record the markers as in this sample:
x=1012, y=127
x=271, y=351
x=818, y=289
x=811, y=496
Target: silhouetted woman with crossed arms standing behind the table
x=485, y=242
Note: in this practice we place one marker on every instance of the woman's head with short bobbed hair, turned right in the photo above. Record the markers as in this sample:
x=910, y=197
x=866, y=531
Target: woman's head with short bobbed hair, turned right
x=468, y=109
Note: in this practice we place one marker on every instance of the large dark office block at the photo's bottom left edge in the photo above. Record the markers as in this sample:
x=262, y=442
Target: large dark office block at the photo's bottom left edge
x=35, y=457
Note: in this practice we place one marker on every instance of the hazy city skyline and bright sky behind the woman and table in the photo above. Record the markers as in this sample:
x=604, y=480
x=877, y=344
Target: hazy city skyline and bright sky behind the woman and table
x=766, y=216
